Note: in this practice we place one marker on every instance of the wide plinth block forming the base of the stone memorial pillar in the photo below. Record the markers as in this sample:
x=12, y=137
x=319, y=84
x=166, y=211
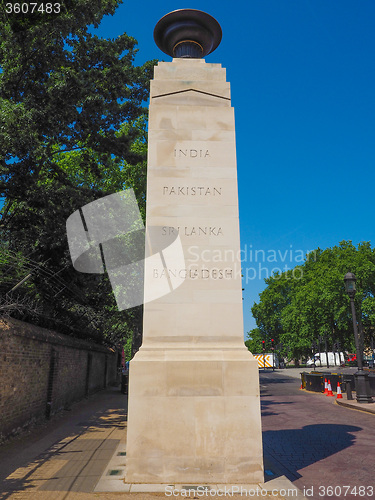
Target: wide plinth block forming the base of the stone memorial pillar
x=194, y=417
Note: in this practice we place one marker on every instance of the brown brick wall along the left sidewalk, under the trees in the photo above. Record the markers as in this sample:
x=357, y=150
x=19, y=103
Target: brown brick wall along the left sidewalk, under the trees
x=42, y=372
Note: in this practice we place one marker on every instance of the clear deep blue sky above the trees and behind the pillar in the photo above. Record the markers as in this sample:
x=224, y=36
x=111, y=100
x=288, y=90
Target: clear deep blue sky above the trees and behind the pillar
x=302, y=76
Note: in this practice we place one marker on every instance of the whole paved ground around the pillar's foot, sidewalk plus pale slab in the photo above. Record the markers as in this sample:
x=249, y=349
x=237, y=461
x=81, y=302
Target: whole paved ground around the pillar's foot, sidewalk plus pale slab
x=80, y=455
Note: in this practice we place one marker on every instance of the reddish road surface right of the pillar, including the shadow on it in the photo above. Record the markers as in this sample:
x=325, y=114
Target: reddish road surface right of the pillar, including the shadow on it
x=328, y=451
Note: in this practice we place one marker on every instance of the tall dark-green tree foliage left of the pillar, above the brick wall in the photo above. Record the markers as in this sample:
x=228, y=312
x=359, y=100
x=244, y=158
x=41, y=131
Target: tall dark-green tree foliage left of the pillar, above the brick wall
x=73, y=129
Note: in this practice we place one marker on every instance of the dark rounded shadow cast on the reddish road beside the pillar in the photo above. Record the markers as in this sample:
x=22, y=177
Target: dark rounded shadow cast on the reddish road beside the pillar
x=293, y=449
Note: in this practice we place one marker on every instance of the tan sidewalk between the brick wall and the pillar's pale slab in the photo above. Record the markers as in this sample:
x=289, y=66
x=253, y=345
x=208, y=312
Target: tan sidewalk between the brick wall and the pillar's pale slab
x=65, y=458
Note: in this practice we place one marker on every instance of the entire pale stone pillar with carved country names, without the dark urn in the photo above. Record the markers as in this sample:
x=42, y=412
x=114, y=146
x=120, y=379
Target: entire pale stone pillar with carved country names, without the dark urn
x=194, y=412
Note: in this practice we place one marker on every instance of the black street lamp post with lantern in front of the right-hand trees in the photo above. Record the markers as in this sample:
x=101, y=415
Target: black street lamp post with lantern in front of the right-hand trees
x=361, y=377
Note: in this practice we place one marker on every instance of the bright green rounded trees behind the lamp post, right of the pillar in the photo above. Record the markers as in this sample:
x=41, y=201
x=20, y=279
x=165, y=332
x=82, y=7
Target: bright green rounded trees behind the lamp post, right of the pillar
x=297, y=308
